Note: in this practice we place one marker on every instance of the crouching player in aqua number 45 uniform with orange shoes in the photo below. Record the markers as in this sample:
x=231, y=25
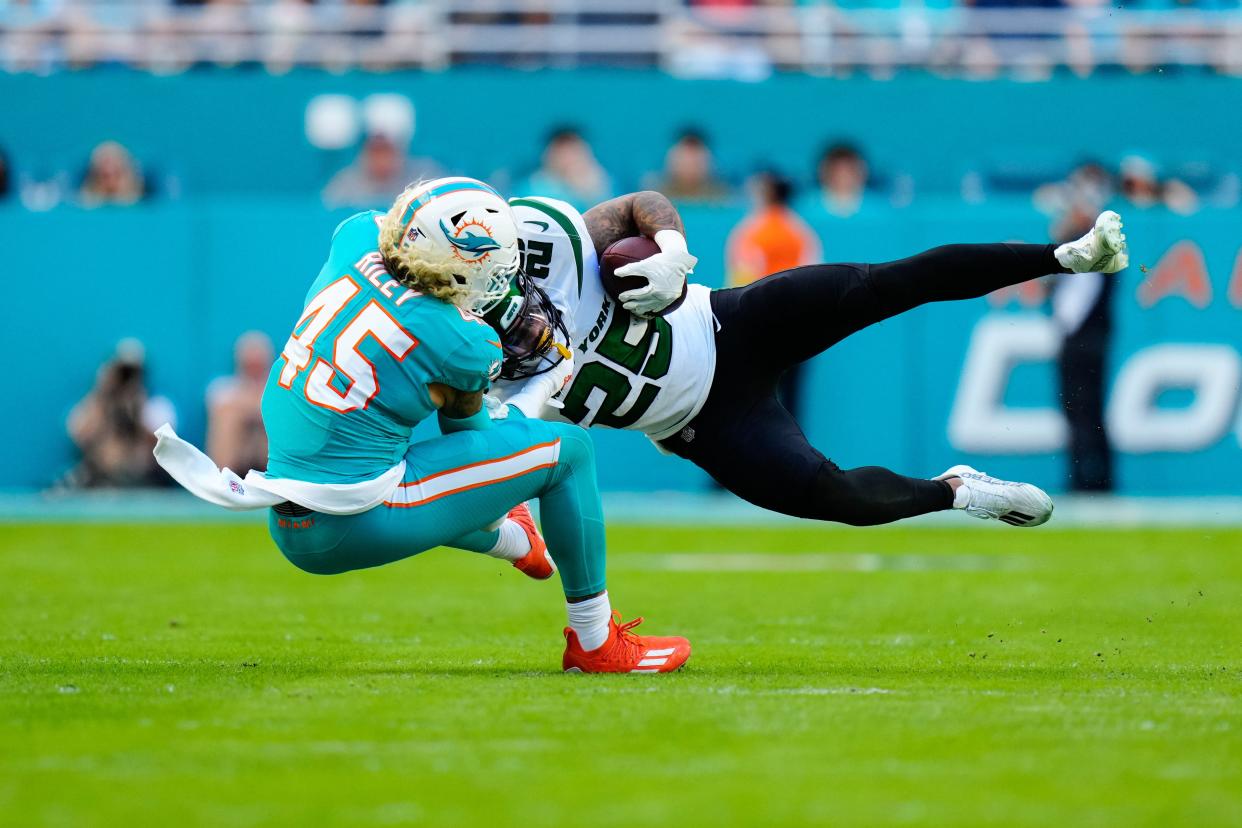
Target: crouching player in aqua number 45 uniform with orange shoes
x=387, y=341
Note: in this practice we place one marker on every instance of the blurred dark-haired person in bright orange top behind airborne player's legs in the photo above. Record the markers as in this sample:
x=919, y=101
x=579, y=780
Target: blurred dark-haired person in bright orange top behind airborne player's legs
x=772, y=239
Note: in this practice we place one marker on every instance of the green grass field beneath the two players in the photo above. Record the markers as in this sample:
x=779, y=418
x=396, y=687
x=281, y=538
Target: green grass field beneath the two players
x=187, y=675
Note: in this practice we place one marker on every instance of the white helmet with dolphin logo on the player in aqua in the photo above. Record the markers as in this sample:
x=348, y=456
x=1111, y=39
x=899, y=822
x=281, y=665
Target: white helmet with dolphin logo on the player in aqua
x=460, y=228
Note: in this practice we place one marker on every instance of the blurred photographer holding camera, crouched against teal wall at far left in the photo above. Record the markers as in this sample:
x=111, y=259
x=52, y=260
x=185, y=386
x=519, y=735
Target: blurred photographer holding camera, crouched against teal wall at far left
x=114, y=425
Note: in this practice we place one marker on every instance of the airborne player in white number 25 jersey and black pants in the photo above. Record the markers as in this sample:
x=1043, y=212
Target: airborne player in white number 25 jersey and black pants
x=700, y=377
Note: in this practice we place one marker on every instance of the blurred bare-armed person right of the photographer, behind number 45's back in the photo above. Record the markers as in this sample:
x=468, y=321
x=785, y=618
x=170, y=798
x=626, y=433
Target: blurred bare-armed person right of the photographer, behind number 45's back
x=235, y=428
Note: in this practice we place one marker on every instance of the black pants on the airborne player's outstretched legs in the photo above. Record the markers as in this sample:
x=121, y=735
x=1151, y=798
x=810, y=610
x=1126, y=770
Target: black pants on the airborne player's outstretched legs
x=753, y=446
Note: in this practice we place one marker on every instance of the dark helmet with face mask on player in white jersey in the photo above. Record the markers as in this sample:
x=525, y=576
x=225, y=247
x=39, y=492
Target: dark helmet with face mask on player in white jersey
x=532, y=331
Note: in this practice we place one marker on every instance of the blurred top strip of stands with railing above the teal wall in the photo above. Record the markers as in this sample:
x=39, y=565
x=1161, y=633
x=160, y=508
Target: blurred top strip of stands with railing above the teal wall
x=704, y=42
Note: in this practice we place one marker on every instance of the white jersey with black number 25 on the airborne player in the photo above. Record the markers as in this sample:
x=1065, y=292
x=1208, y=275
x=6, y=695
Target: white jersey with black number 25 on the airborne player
x=649, y=376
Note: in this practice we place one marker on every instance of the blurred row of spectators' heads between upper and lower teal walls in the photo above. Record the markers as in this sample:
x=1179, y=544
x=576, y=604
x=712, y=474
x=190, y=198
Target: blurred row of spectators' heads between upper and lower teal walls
x=840, y=183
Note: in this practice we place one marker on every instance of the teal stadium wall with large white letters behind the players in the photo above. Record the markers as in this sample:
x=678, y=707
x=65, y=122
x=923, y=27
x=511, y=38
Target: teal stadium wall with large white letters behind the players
x=247, y=235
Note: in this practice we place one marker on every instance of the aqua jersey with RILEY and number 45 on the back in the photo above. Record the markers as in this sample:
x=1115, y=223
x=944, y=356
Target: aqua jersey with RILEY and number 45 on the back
x=352, y=382
